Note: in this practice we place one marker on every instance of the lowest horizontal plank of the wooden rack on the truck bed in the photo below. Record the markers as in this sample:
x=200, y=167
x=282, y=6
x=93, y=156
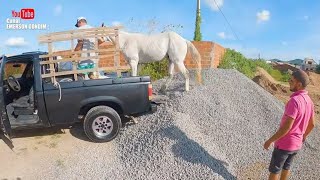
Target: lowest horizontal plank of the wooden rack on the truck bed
x=57, y=74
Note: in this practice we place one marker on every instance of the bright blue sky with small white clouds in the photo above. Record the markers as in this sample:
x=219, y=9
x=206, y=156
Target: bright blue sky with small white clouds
x=286, y=29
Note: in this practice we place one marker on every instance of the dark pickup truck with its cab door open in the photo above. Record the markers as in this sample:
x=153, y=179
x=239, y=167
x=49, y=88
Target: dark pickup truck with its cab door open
x=29, y=101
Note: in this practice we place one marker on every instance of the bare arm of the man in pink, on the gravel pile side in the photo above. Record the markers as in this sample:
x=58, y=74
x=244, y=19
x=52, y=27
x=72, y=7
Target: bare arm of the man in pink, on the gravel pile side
x=282, y=131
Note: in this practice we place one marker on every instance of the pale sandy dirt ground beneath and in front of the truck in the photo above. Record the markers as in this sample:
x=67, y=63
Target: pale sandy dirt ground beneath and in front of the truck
x=45, y=153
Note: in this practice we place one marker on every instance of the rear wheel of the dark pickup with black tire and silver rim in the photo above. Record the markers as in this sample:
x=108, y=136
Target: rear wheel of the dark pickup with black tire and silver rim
x=99, y=115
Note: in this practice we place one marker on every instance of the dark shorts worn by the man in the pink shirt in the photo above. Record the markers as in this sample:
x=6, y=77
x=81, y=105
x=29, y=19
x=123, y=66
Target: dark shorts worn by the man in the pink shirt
x=281, y=159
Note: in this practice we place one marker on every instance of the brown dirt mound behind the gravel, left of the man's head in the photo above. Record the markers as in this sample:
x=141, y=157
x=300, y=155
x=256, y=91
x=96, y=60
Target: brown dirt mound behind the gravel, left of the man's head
x=265, y=80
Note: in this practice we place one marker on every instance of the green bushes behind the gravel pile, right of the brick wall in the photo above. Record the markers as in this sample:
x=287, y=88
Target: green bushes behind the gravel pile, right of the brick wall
x=235, y=60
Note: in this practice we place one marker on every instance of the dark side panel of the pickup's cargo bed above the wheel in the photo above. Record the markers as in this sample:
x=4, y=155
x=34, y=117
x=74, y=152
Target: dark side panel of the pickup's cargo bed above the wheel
x=129, y=95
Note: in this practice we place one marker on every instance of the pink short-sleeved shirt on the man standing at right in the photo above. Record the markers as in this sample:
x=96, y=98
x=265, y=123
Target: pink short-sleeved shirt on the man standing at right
x=300, y=107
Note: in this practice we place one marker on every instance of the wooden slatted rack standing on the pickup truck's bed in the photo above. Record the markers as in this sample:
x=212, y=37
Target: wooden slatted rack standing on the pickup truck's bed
x=75, y=56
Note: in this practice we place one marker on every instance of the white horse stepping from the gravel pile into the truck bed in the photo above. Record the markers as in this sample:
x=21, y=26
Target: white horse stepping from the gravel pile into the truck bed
x=140, y=48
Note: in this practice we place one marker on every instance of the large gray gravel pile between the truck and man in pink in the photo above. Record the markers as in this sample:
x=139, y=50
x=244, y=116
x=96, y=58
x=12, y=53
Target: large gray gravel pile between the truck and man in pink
x=214, y=131
